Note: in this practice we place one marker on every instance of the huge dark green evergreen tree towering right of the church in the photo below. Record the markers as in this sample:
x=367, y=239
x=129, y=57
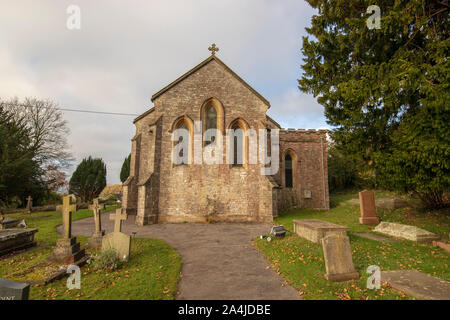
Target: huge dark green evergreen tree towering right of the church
x=385, y=91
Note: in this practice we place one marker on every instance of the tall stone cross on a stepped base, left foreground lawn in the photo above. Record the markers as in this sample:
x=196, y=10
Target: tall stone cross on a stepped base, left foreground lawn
x=67, y=249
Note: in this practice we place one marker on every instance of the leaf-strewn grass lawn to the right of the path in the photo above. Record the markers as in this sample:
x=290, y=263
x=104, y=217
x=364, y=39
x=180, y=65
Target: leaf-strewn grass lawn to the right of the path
x=301, y=263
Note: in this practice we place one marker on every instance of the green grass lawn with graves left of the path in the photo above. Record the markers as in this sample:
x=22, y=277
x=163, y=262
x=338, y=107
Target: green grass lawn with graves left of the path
x=151, y=273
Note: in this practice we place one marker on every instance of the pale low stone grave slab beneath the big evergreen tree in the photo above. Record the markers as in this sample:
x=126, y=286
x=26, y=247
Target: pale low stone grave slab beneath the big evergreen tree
x=405, y=232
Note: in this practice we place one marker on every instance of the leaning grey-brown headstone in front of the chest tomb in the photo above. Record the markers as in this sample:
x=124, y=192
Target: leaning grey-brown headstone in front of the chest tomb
x=338, y=258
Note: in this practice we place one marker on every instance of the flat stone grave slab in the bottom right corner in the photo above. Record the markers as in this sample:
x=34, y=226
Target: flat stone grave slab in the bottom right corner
x=417, y=284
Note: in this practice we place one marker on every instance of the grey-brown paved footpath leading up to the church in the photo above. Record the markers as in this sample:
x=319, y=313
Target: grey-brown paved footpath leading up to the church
x=219, y=261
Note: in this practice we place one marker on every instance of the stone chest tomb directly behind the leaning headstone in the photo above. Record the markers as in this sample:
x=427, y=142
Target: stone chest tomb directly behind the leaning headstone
x=316, y=230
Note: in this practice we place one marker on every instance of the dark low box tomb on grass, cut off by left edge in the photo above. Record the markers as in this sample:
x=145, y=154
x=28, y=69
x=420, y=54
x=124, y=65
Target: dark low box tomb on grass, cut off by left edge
x=16, y=239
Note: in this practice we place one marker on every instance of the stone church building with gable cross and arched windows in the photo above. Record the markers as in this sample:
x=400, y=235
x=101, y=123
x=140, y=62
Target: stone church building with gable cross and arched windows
x=159, y=191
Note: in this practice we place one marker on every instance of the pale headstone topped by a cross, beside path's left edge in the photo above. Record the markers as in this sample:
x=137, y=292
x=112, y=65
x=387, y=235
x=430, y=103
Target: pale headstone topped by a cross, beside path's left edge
x=118, y=240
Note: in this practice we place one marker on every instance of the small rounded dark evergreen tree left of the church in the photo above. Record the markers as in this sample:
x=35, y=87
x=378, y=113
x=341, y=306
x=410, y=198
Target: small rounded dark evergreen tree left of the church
x=89, y=179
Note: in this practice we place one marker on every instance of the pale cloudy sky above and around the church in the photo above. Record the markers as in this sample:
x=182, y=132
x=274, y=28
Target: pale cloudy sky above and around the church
x=127, y=50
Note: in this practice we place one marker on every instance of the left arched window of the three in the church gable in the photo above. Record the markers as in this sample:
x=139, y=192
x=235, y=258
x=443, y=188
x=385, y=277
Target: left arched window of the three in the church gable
x=182, y=138
